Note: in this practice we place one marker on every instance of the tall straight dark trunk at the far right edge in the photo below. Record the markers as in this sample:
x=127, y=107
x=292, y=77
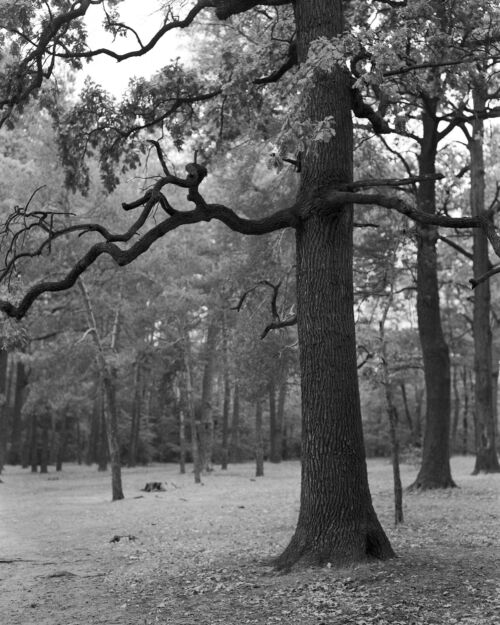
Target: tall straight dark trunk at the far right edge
x=484, y=414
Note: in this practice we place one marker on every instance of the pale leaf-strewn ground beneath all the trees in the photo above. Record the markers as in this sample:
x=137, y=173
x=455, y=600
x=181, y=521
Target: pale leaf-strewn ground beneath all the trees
x=198, y=553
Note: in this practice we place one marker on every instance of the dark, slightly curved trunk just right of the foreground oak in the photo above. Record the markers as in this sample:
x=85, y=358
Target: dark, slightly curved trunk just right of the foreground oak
x=435, y=470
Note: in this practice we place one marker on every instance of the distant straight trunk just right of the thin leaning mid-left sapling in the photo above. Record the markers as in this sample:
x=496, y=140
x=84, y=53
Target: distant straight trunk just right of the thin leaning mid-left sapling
x=207, y=421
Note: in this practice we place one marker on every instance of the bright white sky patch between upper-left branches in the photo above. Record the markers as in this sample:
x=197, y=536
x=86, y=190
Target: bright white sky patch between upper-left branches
x=145, y=18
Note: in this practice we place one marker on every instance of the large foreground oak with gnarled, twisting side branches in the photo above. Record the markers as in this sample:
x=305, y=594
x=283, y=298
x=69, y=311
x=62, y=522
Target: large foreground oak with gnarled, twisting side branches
x=337, y=522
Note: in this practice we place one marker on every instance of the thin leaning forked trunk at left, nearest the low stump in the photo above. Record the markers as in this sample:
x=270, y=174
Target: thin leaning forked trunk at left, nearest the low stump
x=108, y=374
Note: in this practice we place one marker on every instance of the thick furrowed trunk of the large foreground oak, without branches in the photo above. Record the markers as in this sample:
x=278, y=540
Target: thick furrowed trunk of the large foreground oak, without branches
x=337, y=522
